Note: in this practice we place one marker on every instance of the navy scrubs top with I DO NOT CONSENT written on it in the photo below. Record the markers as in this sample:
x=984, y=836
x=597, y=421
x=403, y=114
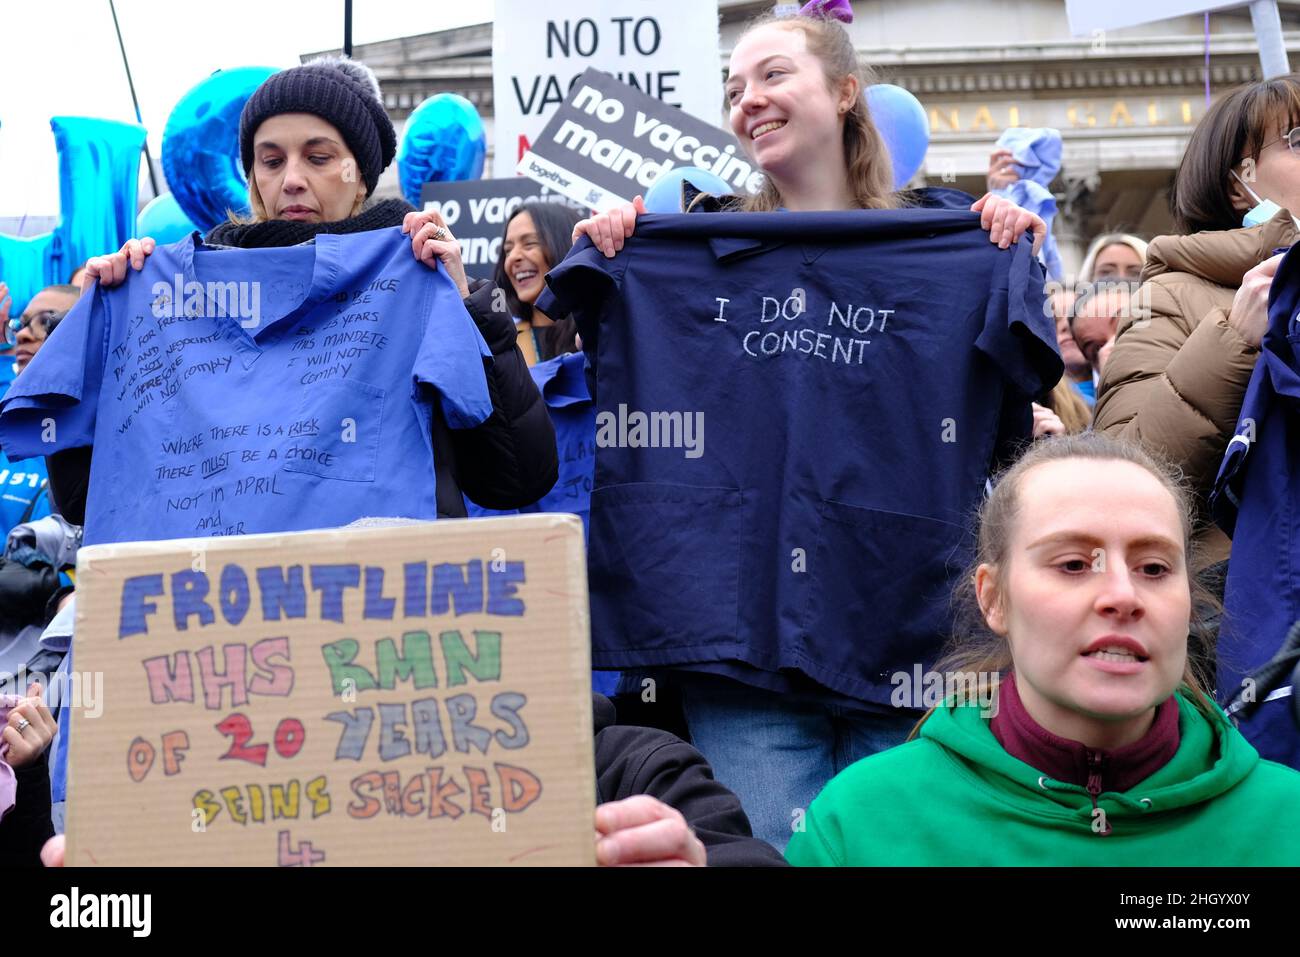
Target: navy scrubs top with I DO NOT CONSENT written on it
x=796, y=418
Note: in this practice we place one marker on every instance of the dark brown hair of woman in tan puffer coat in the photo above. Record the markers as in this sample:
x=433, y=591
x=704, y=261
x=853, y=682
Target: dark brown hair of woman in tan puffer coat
x=1233, y=129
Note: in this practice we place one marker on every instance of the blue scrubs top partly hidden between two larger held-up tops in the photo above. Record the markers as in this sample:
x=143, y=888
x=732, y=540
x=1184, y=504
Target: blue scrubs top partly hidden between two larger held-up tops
x=564, y=387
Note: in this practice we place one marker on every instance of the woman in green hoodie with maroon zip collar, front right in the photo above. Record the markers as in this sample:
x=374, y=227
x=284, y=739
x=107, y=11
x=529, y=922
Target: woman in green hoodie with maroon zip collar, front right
x=1098, y=747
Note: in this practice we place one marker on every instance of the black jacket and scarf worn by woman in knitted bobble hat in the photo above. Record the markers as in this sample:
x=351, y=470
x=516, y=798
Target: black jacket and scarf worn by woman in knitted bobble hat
x=508, y=462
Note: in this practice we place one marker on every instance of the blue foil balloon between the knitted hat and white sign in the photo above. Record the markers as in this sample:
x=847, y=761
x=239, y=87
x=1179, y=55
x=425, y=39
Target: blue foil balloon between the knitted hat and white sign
x=444, y=142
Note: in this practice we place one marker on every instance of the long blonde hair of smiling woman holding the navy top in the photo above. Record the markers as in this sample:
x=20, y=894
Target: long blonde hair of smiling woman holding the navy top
x=865, y=154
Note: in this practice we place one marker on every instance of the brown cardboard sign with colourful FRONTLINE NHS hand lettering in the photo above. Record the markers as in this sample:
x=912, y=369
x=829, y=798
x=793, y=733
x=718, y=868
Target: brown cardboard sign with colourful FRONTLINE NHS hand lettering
x=365, y=696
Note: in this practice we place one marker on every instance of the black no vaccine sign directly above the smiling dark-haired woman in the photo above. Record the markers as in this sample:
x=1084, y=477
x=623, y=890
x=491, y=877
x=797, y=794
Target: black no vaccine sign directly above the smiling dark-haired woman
x=476, y=213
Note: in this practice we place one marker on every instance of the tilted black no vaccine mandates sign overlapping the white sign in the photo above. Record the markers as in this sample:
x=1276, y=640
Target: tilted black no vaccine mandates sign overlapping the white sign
x=609, y=142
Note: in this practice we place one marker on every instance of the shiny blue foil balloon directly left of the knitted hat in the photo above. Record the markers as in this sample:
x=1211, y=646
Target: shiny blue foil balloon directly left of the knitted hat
x=201, y=146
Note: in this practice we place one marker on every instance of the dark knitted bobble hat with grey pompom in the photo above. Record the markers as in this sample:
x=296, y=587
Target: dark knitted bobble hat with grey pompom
x=344, y=93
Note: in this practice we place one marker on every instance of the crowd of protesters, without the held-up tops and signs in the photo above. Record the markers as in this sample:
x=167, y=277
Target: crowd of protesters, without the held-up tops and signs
x=1099, y=742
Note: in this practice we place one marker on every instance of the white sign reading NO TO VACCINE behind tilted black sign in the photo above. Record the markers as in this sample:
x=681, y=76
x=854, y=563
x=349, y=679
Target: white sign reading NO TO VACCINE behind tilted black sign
x=666, y=49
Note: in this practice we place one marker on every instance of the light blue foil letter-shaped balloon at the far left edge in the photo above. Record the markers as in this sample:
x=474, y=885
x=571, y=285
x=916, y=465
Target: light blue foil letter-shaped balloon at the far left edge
x=99, y=167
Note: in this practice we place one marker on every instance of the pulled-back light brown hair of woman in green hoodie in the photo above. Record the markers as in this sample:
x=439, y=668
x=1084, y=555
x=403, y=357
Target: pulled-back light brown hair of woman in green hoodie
x=974, y=647
